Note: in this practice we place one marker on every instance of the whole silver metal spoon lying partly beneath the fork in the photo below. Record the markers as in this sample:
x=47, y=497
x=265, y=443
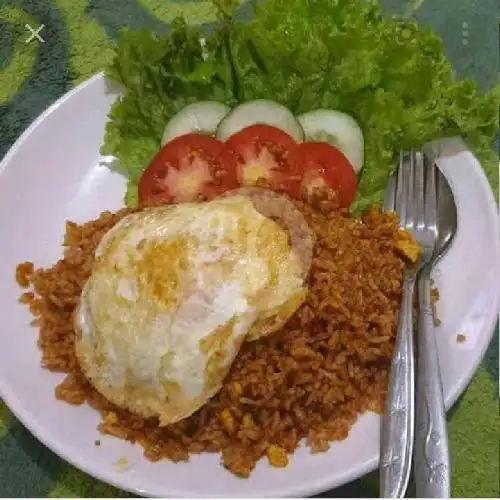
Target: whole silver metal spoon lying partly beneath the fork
x=431, y=453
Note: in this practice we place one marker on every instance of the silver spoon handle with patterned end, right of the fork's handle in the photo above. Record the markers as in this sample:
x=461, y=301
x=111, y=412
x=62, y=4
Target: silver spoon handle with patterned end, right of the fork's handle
x=432, y=459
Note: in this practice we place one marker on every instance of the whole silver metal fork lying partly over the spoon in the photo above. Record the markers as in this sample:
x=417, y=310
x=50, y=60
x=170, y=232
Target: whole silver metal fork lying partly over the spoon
x=411, y=193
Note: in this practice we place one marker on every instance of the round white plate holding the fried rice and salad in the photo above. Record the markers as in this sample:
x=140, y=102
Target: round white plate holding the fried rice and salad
x=53, y=173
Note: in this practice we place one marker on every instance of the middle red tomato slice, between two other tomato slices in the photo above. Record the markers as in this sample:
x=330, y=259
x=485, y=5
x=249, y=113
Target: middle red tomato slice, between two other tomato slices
x=265, y=153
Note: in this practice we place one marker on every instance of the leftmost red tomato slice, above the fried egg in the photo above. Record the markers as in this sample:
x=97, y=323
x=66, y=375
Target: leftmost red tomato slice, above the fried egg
x=190, y=167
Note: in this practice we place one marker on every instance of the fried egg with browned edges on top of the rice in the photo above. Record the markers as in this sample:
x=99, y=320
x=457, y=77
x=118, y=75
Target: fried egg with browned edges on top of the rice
x=173, y=293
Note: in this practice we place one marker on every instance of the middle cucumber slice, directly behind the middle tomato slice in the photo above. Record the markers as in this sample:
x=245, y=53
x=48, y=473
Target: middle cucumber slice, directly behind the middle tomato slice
x=260, y=112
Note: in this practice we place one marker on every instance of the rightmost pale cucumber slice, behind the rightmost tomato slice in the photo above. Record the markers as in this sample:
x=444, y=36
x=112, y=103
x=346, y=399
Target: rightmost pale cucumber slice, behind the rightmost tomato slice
x=338, y=129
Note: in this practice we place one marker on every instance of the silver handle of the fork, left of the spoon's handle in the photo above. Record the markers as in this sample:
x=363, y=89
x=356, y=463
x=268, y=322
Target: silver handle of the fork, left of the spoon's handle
x=397, y=422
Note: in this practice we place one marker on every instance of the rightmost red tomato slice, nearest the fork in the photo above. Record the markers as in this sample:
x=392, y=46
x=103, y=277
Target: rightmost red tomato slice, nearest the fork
x=322, y=164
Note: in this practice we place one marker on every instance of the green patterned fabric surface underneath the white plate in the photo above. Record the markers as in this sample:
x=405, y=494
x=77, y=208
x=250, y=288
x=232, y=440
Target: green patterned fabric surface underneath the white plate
x=79, y=37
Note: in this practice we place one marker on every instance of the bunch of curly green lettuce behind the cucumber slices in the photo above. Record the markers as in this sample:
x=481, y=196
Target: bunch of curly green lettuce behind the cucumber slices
x=388, y=73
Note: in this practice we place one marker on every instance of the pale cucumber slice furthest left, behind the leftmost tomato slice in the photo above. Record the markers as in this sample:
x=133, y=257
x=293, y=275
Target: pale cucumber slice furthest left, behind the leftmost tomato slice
x=201, y=117
